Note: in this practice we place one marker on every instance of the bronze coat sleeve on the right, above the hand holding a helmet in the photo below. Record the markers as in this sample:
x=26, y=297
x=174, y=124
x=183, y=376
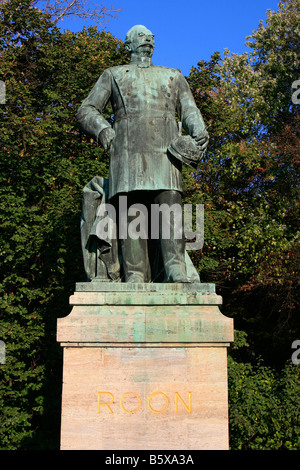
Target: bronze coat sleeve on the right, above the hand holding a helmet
x=189, y=114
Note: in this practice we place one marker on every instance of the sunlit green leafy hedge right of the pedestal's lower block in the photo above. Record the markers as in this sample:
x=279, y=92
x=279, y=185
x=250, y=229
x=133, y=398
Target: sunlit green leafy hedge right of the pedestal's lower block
x=264, y=409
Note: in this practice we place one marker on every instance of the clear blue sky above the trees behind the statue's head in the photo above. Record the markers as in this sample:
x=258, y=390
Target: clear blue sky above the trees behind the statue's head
x=186, y=31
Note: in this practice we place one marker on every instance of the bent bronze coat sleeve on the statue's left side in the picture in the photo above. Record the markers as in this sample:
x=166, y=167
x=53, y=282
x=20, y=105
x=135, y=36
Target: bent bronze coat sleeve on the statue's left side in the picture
x=89, y=114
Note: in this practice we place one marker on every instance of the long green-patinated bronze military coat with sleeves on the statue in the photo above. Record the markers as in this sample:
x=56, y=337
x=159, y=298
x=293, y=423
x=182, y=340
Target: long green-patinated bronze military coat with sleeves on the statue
x=144, y=101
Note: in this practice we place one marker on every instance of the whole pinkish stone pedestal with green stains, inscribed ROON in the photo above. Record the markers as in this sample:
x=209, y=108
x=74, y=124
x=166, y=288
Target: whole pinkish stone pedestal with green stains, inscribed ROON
x=145, y=367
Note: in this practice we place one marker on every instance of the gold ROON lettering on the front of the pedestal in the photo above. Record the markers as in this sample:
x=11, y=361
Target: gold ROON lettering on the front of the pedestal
x=130, y=402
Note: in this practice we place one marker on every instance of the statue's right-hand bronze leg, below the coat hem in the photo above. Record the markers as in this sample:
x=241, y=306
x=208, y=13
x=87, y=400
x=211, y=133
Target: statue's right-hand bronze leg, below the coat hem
x=172, y=241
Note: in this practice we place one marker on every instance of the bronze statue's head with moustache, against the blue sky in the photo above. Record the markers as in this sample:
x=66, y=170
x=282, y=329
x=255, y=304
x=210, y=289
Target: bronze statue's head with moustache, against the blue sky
x=139, y=40
